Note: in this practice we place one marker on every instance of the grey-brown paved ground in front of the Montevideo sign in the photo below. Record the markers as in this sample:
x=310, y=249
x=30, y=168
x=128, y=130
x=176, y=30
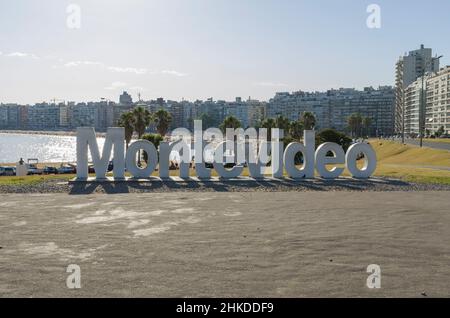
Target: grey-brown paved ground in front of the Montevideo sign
x=256, y=244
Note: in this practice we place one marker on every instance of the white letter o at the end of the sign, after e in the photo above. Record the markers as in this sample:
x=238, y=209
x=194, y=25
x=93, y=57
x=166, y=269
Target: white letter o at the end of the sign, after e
x=370, y=159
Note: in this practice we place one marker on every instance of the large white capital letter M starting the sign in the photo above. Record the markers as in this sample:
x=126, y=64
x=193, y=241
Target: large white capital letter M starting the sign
x=86, y=140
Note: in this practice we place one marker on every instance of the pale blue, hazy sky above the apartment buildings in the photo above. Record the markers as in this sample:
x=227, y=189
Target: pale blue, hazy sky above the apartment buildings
x=197, y=49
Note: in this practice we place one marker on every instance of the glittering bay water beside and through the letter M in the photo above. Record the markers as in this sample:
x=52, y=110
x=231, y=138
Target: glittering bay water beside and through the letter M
x=46, y=148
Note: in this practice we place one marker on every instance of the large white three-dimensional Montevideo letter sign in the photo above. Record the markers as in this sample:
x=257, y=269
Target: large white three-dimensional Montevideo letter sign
x=241, y=147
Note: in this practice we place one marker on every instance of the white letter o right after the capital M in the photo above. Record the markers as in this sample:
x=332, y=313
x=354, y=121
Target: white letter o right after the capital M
x=130, y=159
